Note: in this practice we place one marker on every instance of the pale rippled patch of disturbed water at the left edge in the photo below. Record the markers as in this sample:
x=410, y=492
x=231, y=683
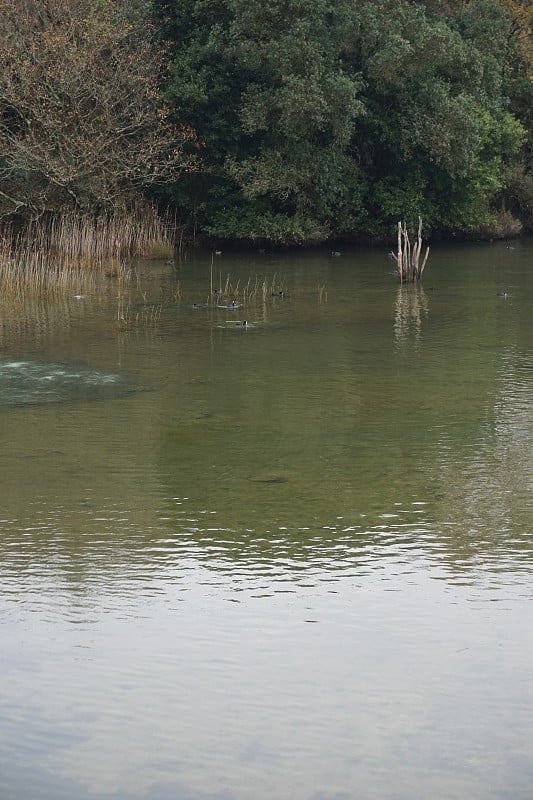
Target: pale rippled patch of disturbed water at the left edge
x=30, y=383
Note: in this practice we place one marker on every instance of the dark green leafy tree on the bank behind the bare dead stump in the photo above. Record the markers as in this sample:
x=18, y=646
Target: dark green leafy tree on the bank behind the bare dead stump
x=438, y=139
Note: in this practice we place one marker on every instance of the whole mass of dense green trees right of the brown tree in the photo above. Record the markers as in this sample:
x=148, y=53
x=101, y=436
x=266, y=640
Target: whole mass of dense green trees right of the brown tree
x=323, y=118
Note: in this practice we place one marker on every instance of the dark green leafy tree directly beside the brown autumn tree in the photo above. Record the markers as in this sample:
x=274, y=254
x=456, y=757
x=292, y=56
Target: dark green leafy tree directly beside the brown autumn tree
x=264, y=85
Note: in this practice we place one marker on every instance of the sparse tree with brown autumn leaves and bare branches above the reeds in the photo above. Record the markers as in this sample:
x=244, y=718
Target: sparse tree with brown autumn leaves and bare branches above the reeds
x=81, y=118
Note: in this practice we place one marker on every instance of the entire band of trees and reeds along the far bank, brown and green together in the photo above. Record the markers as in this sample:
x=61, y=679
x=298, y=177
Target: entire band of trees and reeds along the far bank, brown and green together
x=280, y=123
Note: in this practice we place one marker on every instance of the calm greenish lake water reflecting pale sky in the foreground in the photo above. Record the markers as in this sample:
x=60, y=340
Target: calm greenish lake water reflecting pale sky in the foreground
x=291, y=560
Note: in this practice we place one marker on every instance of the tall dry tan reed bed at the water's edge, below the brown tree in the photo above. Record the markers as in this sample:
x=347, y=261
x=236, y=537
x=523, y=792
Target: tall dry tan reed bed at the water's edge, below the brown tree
x=73, y=251
